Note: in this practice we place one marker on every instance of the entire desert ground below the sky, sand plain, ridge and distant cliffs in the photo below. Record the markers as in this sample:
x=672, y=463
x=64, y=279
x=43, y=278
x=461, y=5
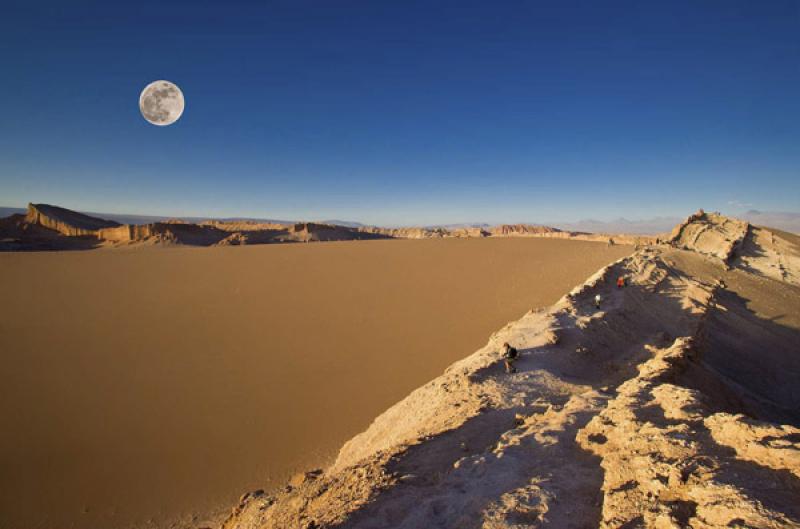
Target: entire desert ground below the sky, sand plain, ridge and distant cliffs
x=148, y=383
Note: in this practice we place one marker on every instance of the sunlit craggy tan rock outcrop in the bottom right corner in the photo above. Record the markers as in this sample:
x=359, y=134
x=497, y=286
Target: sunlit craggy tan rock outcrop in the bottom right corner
x=670, y=461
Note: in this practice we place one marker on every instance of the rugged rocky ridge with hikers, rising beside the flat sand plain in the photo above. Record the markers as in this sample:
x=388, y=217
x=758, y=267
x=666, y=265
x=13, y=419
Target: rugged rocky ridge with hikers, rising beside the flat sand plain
x=673, y=405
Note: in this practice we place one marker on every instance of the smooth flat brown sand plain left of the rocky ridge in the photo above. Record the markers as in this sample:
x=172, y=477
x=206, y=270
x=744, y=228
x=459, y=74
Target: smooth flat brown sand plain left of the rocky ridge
x=138, y=386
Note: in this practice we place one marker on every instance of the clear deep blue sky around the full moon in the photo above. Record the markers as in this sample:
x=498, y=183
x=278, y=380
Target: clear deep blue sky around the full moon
x=404, y=112
